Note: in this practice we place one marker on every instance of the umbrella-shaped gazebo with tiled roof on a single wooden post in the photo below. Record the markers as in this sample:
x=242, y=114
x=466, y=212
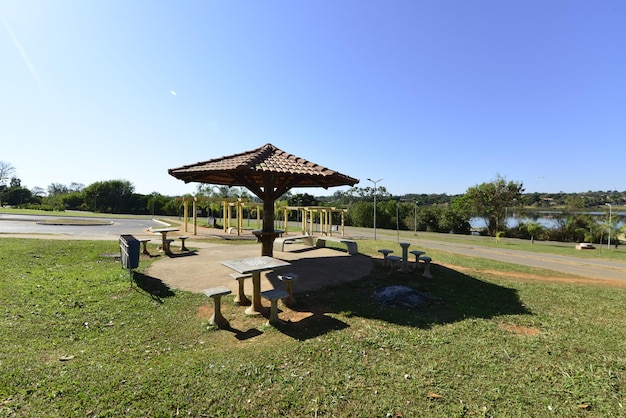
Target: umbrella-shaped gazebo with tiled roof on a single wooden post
x=267, y=172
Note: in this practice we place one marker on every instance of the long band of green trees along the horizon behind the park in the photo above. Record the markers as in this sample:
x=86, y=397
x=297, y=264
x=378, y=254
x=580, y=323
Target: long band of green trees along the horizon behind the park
x=494, y=201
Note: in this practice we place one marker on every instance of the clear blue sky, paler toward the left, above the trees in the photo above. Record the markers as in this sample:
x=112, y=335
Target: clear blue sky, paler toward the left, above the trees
x=430, y=96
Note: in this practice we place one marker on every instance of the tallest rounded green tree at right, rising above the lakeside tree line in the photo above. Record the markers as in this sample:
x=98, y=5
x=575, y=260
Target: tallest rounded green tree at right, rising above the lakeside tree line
x=491, y=200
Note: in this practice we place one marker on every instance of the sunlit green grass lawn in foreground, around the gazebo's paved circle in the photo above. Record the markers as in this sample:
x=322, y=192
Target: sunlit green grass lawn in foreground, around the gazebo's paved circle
x=78, y=340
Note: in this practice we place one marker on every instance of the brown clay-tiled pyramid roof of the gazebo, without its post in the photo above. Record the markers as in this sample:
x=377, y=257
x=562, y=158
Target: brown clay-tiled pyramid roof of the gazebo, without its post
x=253, y=167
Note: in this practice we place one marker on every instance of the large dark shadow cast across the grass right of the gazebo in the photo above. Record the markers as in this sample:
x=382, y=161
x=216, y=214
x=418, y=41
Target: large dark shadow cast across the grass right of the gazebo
x=449, y=297
